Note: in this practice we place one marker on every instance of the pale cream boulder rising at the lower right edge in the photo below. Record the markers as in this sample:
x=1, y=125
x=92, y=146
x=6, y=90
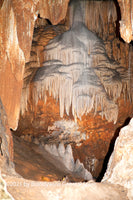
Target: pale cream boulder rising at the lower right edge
x=120, y=167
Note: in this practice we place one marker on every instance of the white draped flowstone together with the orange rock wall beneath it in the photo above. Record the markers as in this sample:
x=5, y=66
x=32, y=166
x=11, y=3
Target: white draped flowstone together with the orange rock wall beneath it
x=76, y=80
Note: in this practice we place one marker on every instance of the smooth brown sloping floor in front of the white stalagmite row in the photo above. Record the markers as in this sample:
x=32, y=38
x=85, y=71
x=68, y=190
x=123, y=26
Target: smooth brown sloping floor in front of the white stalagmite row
x=34, y=163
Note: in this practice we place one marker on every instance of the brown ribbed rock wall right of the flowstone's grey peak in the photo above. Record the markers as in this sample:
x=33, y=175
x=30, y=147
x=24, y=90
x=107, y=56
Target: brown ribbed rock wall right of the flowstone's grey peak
x=104, y=24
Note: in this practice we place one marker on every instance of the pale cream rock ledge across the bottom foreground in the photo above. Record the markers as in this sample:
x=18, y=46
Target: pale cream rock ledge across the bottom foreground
x=22, y=189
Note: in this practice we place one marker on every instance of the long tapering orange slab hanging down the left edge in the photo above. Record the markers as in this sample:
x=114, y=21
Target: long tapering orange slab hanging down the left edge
x=11, y=63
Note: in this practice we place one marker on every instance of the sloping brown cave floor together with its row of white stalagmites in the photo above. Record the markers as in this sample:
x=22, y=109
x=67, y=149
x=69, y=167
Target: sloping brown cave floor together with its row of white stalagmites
x=33, y=162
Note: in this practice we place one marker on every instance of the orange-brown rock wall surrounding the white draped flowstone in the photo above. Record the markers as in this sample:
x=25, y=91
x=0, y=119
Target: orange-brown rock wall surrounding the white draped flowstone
x=91, y=138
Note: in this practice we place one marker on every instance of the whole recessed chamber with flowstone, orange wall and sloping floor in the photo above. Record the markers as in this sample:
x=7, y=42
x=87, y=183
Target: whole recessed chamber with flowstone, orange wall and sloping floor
x=74, y=96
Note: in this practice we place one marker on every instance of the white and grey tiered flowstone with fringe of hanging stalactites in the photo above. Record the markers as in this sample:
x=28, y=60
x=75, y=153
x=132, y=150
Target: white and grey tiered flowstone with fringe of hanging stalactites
x=77, y=72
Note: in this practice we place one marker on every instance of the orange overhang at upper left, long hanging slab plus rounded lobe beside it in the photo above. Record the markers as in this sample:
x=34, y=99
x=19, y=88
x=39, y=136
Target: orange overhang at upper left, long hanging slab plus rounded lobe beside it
x=16, y=30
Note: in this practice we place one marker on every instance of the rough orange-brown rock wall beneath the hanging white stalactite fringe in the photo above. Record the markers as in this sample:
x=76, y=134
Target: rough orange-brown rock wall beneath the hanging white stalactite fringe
x=95, y=133
